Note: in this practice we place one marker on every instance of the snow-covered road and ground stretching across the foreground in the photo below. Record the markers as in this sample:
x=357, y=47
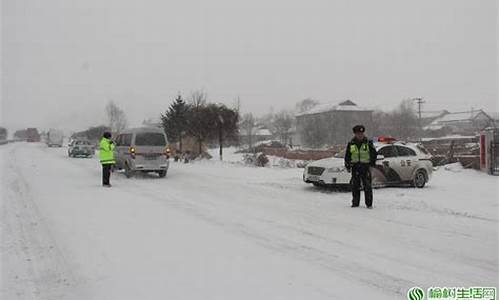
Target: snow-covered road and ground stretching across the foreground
x=216, y=230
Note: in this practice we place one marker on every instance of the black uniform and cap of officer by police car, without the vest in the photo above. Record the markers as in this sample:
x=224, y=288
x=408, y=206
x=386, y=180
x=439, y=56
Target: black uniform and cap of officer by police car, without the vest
x=360, y=171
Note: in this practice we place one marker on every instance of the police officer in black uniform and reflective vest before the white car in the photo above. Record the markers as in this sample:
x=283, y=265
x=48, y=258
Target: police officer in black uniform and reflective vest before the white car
x=360, y=155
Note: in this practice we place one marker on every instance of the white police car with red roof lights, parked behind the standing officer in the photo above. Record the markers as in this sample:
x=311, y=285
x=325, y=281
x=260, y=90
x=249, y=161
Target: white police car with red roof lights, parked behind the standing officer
x=397, y=164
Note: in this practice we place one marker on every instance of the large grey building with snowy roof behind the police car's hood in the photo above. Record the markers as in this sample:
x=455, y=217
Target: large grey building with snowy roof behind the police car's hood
x=331, y=124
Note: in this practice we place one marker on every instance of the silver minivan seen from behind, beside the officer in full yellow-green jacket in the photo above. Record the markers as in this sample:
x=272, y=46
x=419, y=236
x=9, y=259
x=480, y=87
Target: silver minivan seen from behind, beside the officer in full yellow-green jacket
x=142, y=150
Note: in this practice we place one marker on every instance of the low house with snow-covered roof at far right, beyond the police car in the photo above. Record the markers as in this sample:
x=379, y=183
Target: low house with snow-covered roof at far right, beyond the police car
x=464, y=123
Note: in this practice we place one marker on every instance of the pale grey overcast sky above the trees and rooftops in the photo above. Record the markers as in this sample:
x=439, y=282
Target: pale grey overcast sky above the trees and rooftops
x=63, y=60
